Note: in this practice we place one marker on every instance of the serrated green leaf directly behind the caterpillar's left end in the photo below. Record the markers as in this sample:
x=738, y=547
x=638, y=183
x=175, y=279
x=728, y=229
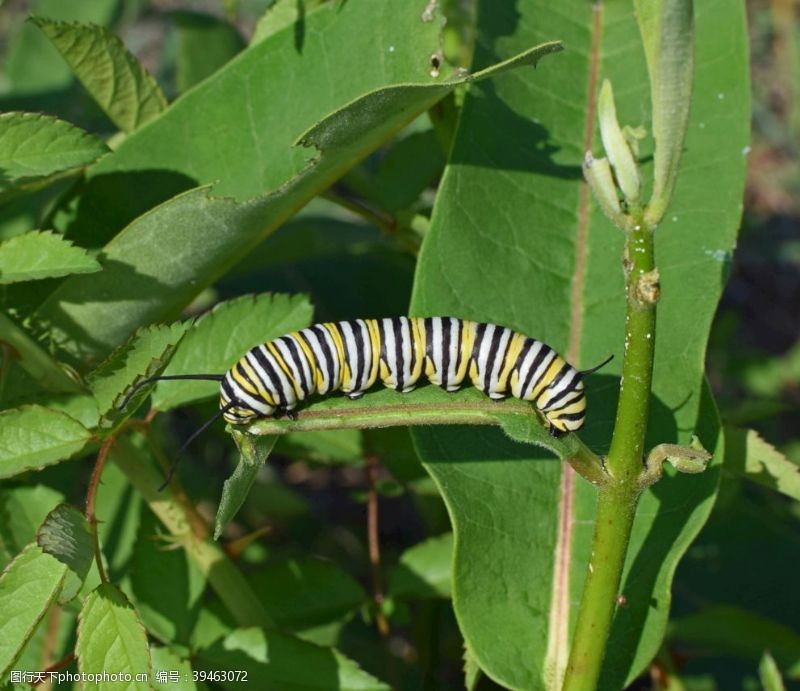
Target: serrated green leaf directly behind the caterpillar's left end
x=223, y=335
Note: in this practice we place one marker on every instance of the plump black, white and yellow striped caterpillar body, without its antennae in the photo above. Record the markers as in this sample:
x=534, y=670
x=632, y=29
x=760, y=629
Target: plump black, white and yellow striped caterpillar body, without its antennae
x=352, y=356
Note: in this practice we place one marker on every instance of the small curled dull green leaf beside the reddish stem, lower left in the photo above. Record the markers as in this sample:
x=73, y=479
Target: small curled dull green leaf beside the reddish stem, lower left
x=66, y=535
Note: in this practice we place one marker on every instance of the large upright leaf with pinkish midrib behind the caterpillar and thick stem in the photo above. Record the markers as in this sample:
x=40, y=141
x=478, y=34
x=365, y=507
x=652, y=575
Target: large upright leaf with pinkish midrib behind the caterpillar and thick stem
x=515, y=240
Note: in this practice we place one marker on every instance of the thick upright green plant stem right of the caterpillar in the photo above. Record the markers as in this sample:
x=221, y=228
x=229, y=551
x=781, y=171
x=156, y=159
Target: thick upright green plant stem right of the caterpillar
x=618, y=498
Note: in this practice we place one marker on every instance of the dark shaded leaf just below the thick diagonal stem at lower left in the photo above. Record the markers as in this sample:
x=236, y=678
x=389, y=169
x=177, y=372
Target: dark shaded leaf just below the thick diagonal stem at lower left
x=167, y=587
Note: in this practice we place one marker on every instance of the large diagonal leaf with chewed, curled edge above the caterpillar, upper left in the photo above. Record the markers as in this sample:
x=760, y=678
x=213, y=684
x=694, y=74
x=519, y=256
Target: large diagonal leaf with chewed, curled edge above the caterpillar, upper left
x=167, y=256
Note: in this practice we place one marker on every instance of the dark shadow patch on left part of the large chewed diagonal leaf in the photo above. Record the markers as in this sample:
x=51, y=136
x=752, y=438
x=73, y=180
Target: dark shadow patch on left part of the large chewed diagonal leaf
x=107, y=203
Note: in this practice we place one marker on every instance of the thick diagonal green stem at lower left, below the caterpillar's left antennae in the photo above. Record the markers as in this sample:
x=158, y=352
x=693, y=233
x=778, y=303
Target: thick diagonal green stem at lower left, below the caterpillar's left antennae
x=222, y=574
